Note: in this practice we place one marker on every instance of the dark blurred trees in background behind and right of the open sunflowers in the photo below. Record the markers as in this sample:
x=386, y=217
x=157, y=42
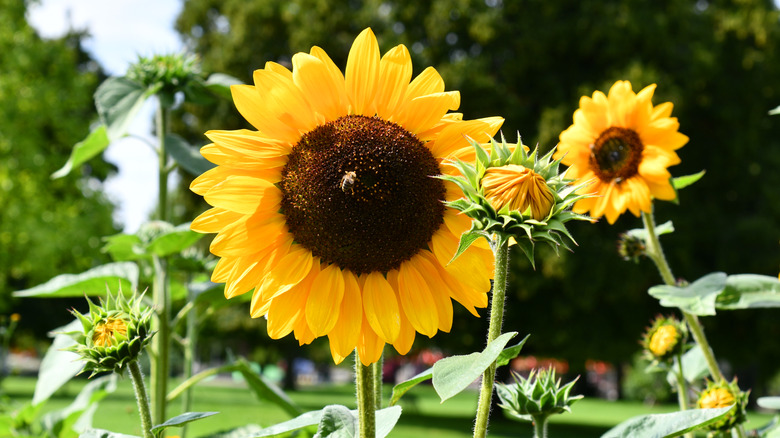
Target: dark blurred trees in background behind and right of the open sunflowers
x=530, y=61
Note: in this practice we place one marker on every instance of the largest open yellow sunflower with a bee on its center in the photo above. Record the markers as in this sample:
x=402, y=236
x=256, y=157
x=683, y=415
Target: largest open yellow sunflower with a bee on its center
x=330, y=213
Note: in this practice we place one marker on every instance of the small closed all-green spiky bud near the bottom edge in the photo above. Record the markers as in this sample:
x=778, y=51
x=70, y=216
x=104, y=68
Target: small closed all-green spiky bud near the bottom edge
x=537, y=397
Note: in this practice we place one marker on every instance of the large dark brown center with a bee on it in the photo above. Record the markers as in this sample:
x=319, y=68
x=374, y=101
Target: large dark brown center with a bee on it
x=359, y=192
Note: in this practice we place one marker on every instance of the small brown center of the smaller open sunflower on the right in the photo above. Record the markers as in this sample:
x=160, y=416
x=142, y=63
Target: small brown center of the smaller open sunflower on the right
x=616, y=154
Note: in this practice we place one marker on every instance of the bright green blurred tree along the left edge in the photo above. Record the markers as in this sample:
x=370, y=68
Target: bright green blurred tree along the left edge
x=47, y=227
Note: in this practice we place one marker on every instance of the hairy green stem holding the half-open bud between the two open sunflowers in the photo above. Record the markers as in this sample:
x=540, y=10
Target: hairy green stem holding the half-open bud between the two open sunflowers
x=501, y=255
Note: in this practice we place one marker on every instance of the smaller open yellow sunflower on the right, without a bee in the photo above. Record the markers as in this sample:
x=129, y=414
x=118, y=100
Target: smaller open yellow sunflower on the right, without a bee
x=624, y=144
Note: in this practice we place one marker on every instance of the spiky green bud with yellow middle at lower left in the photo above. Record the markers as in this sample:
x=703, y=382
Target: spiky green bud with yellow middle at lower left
x=113, y=335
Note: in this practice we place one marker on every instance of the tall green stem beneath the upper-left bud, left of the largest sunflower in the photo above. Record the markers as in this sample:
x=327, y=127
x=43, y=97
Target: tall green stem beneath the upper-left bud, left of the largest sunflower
x=160, y=293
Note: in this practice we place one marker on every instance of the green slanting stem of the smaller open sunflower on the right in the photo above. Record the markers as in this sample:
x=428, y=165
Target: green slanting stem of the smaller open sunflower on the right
x=656, y=254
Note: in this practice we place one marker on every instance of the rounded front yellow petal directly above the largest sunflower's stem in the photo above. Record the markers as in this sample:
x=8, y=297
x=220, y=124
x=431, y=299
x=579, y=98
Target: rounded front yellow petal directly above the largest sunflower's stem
x=381, y=307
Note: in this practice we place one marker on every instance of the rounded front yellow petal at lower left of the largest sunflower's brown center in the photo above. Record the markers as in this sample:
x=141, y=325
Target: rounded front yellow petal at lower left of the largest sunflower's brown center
x=324, y=304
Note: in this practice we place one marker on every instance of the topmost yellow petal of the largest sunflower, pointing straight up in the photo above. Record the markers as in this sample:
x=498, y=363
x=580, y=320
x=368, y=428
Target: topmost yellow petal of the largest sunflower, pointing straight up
x=362, y=72
